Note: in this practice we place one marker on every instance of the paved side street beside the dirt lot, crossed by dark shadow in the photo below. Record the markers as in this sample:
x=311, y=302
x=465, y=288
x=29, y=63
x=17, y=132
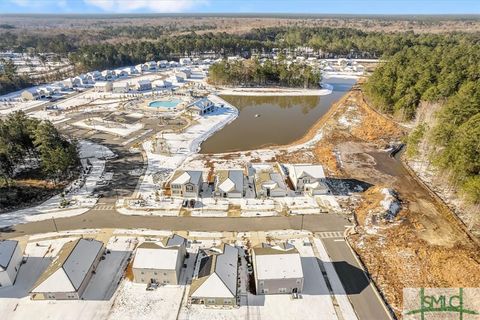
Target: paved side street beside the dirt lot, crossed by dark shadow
x=362, y=295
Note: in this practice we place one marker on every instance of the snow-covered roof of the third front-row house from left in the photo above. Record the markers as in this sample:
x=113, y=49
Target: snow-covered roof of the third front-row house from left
x=151, y=255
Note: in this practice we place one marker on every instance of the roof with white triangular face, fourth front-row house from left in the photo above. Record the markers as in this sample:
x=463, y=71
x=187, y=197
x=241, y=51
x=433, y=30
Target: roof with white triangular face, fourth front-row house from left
x=218, y=275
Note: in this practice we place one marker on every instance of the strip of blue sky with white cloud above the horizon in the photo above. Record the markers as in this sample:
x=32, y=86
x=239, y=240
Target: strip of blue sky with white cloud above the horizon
x=243, y=6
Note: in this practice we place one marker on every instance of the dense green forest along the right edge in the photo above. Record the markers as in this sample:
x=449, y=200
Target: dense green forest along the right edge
x=447, y=75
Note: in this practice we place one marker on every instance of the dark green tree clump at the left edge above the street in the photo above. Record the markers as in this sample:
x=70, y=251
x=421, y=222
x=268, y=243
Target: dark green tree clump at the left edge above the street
x=25, y=140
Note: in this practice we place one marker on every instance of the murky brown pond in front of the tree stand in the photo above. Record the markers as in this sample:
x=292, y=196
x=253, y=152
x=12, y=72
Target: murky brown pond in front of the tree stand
x=278, y=120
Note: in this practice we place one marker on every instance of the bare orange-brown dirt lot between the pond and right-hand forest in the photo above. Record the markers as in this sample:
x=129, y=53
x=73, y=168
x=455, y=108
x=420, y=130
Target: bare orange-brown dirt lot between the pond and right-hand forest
x=424, y=246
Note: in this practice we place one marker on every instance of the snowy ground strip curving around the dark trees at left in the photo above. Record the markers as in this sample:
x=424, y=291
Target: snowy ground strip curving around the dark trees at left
x=80, y=197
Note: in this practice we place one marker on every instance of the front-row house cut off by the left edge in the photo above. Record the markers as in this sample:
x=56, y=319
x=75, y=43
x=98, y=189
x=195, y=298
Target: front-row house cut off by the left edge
x=10, y=261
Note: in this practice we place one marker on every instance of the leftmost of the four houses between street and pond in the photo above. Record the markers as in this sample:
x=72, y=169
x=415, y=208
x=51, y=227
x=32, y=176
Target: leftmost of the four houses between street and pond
x=187, y=184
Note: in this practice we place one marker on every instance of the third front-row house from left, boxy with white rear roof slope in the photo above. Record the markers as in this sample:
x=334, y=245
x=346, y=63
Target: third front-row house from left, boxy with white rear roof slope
x=160, y=262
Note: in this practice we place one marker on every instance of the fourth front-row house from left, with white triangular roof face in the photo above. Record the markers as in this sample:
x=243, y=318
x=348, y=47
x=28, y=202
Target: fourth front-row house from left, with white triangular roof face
x=215, y=283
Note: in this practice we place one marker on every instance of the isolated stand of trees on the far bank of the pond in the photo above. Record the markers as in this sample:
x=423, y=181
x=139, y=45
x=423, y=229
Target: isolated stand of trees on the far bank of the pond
x=253, y=73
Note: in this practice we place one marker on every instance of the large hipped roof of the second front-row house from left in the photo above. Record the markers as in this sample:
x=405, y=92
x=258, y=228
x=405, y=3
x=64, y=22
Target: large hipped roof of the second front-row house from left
x=70, y=268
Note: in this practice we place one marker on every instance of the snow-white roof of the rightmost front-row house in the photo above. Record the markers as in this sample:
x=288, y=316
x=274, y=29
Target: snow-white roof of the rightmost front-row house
x=277, y=263
